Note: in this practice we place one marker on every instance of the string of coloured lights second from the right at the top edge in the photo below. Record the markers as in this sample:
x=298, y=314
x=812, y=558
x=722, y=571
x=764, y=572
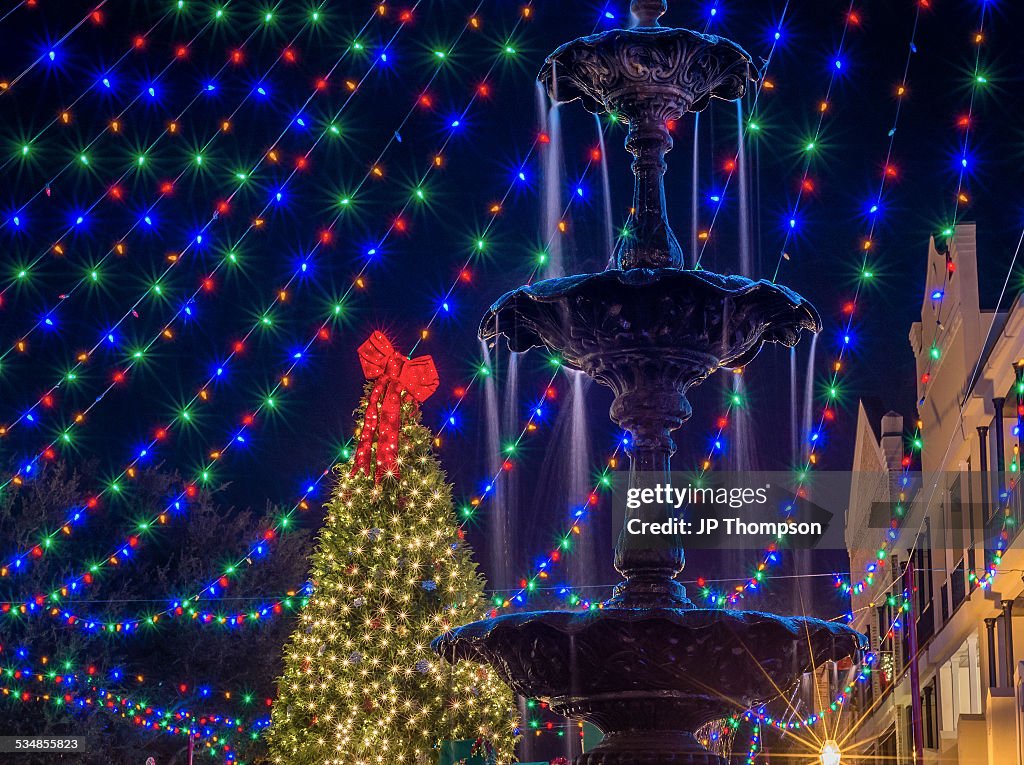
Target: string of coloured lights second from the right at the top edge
x=849, y=311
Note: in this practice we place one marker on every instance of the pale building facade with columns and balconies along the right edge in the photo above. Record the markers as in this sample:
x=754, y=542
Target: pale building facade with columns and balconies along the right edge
x=970, y=639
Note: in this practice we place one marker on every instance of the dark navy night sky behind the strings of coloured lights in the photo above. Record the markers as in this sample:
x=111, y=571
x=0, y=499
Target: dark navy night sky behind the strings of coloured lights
x=204, y=71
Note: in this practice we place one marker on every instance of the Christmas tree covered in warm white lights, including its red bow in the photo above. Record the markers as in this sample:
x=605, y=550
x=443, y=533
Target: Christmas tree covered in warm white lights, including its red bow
x=392, y=572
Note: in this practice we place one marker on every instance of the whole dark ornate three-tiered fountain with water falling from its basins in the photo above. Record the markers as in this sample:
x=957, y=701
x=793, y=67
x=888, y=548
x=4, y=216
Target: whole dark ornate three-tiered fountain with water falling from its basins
x=650, y=668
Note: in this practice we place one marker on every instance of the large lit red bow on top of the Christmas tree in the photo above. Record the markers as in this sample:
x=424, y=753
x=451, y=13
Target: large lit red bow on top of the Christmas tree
x=395, y=375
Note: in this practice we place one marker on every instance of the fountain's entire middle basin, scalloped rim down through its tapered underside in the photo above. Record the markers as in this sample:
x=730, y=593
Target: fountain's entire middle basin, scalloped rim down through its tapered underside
x=651, y=334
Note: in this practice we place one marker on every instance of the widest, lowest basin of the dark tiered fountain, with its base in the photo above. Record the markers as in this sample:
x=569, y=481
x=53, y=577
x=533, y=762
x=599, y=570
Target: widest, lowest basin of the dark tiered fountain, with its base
x=650, y=677
